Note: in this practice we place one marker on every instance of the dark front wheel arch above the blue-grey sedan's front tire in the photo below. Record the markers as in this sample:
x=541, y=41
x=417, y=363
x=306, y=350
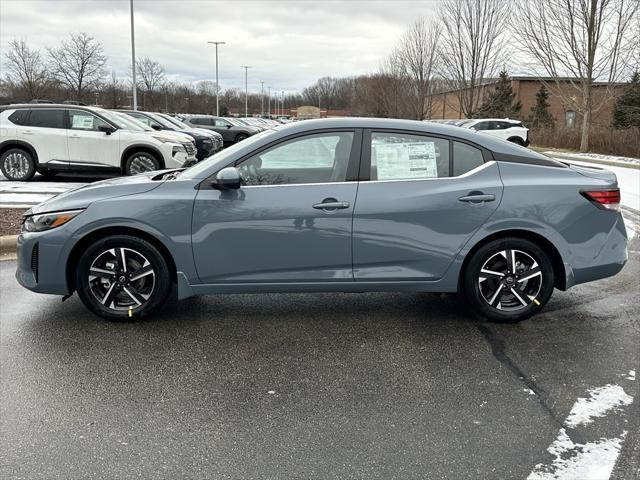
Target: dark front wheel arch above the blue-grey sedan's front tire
x=89, y=238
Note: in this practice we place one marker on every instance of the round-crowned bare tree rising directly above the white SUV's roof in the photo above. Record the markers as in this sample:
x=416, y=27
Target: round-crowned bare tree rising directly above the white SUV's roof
x=78, y=63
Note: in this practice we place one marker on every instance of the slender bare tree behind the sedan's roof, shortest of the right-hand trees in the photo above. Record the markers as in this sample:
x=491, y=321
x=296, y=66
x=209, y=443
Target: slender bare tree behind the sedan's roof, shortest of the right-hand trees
x=417, y=59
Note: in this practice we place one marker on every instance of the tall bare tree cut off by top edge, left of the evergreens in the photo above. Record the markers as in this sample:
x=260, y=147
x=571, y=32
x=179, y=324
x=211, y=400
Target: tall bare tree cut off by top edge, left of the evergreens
x=473, y=46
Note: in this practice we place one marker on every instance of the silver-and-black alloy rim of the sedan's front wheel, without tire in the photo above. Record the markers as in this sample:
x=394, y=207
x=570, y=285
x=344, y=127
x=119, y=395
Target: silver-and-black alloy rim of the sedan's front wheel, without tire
x=121, y=278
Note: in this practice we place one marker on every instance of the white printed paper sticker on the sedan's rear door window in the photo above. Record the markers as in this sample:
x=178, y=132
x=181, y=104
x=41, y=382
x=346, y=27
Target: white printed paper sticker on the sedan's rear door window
x=405, y=160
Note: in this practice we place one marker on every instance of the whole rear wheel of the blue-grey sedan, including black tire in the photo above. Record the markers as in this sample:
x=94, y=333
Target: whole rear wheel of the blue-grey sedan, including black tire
x=533, y=280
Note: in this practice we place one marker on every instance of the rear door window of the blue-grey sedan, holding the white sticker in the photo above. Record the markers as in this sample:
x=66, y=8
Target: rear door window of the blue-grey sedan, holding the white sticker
x=398, y=156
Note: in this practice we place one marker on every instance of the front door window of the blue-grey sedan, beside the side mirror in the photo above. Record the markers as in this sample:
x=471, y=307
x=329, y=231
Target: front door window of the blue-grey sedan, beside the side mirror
x=319, y=158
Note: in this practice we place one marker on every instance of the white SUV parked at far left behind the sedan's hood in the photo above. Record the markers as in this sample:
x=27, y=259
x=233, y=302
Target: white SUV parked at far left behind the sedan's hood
x=50, y=138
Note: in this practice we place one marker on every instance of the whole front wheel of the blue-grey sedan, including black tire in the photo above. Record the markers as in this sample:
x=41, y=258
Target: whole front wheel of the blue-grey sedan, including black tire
x=125, y=298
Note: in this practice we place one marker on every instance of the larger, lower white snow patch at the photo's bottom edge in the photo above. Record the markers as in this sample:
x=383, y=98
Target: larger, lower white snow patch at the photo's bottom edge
x=575, y=461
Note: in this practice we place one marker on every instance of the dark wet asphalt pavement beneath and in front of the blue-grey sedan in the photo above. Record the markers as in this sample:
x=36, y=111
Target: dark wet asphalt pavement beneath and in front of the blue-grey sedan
x=322, y=386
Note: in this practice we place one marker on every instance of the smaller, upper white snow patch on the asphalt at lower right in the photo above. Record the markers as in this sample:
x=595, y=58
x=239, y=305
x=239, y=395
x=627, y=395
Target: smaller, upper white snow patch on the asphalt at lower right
x=601, y=401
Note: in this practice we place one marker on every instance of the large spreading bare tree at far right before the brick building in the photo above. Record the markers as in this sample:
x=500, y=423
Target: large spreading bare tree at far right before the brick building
x=585, y=40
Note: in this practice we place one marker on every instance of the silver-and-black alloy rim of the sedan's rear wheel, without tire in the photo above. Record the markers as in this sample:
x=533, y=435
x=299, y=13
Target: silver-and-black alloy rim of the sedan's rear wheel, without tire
x=510, y=280
